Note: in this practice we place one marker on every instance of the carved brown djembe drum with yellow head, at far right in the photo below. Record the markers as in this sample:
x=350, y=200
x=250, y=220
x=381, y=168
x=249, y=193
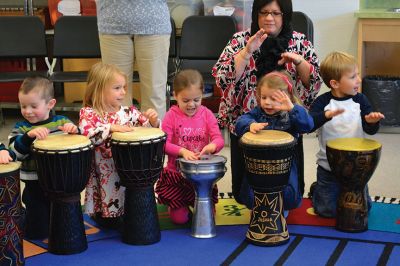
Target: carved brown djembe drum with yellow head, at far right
x=352, y=161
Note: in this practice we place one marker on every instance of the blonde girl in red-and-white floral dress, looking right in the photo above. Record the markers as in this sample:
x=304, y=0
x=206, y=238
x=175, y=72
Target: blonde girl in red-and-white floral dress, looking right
x=102, y=114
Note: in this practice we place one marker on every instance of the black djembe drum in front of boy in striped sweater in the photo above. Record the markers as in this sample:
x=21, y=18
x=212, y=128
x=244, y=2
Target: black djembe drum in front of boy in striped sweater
x=63, y=167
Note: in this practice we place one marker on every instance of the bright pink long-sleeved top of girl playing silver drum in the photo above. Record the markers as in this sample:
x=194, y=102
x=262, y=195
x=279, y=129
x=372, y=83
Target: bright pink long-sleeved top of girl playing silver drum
x=192, y=133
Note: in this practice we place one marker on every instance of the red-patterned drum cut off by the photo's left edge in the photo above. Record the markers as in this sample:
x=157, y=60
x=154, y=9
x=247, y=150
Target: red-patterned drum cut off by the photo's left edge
x=11, y=216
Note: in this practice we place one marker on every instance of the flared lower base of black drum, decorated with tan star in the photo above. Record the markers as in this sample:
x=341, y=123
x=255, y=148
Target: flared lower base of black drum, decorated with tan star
x=267, y=224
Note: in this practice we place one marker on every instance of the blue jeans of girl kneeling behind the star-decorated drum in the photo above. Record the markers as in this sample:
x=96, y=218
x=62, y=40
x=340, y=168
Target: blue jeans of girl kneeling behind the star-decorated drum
x=291, y=193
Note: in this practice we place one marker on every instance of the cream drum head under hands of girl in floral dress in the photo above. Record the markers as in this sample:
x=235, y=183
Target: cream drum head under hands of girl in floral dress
x=139, y=134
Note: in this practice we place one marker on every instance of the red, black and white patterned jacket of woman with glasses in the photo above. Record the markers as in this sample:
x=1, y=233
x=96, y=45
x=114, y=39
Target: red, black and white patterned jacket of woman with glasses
x=240, y=97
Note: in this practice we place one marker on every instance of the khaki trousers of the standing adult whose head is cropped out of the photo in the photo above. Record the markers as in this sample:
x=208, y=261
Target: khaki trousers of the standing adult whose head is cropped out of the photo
x=151, y=52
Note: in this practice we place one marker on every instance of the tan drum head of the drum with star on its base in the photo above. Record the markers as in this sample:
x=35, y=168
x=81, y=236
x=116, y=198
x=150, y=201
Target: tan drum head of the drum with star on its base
x=267, y=137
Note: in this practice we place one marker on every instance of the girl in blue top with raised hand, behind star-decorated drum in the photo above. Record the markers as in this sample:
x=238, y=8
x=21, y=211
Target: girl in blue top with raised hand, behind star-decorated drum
x=276, y=110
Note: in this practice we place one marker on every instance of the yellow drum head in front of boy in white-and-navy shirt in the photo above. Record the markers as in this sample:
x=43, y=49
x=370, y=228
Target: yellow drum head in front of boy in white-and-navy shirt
x=353, y=144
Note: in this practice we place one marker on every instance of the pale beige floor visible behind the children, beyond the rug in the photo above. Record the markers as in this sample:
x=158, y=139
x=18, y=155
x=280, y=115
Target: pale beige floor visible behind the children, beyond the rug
x=385, y=181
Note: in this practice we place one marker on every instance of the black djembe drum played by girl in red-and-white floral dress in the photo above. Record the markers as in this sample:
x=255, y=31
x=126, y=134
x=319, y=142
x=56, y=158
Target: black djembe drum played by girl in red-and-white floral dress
x=139, y=158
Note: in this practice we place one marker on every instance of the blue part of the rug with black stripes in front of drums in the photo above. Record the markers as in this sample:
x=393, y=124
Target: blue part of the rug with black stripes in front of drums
x=311, y=245
